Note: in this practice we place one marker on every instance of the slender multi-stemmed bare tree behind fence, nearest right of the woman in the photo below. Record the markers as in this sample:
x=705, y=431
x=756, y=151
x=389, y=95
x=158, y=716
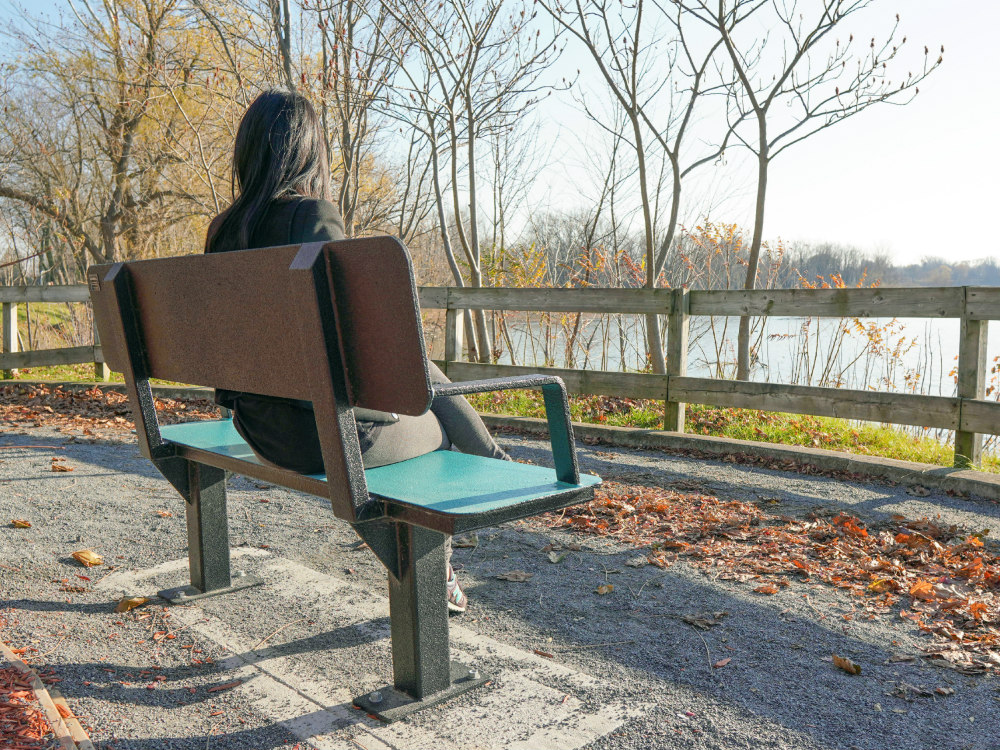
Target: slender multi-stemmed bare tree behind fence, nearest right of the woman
x=473, y=70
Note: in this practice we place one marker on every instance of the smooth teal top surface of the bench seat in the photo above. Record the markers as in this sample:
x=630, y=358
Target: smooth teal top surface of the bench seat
x=442, y=481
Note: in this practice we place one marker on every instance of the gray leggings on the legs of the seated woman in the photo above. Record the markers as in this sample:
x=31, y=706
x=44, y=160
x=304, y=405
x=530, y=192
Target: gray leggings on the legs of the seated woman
x=451, y=422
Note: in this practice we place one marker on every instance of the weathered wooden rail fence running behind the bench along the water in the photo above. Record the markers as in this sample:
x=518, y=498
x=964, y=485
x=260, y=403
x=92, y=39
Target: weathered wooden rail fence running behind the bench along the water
x=968, y=413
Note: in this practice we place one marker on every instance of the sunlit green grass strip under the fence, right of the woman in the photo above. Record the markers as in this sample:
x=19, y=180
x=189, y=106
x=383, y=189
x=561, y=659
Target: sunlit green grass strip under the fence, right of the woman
x=742, y=424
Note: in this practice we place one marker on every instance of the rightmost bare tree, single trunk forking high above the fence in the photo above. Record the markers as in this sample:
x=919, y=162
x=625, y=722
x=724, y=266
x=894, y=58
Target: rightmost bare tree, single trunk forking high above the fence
x=795, y=82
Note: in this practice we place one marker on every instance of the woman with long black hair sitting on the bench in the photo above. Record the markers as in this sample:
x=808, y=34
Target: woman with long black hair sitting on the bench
x=281, y=167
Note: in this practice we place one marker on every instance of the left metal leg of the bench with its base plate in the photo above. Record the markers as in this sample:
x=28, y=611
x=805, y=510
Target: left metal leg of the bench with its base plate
x=208, y=538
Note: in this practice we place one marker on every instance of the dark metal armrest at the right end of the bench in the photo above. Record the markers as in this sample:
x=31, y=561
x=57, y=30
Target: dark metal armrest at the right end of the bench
x=556, y=412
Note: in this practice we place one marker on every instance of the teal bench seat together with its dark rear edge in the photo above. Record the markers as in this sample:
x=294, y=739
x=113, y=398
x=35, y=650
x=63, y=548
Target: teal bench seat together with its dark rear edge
x=435, y=490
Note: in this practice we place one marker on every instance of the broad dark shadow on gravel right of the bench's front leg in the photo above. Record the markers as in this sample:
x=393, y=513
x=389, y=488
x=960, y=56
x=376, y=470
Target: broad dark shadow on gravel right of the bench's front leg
x=780, y=647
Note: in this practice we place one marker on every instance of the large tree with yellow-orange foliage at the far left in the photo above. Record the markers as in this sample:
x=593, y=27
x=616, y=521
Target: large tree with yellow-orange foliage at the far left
x=83, y=153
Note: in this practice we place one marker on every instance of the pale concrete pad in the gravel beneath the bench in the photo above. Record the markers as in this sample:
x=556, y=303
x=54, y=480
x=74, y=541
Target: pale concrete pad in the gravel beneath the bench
x=533, y=703
